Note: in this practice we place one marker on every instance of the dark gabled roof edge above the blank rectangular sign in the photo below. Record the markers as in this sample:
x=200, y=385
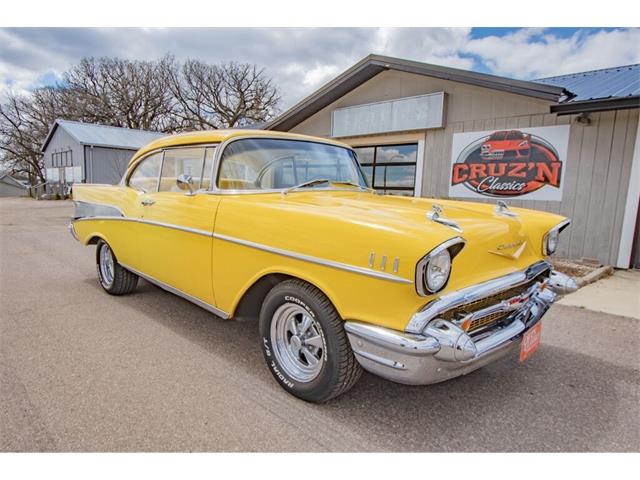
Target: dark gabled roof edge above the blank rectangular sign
x=372, y=65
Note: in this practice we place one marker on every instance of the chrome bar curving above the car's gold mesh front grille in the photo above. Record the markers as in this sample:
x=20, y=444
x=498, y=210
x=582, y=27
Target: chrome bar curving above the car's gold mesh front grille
x=475, y=292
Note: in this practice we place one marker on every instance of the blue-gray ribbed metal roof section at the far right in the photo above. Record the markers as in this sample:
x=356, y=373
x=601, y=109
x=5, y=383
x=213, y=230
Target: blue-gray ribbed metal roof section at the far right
x=613, y=82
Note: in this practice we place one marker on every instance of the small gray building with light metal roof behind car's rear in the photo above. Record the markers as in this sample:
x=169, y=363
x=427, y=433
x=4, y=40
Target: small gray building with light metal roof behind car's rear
x=85, y=152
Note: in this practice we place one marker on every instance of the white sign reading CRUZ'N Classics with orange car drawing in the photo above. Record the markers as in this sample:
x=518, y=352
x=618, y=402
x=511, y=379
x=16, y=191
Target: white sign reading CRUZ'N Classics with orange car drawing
x=522, y=163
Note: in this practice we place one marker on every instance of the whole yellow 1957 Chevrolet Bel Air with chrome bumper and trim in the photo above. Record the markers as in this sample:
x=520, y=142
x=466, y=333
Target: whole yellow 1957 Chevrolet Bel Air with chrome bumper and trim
x=284, y=227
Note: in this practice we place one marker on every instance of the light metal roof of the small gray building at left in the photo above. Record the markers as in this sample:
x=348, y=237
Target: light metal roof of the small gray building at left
x=103, y=135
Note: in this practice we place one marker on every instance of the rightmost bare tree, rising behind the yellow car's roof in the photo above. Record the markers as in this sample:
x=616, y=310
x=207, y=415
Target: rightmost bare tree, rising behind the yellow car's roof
x=221, y=96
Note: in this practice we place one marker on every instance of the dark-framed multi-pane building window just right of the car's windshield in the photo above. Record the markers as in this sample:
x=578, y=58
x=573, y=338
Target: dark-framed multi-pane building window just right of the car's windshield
x=391, y=169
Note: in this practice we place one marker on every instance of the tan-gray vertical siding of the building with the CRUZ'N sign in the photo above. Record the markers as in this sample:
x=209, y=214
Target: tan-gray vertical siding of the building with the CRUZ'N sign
x=599, y=155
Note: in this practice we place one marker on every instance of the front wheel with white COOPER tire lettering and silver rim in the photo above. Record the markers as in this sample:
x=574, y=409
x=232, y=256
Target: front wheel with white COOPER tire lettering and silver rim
x=304, y=343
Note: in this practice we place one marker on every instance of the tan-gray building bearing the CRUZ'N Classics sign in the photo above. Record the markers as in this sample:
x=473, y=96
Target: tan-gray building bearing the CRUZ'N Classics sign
x=424, y=130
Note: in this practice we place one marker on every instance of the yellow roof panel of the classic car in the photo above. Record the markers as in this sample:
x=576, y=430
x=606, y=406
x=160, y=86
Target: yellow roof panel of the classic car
x=219, y=136
